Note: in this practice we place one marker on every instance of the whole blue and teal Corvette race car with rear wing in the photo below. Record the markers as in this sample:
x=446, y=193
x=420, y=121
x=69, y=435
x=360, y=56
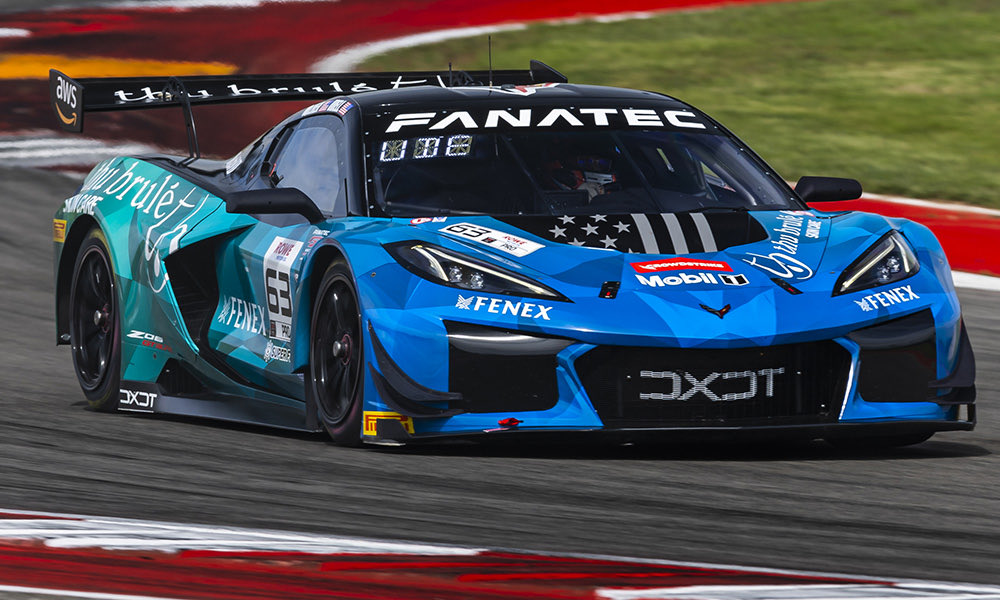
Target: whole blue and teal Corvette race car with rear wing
x=436, y=254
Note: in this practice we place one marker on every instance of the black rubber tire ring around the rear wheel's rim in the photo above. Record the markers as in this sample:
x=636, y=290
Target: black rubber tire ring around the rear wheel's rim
x=104, y=397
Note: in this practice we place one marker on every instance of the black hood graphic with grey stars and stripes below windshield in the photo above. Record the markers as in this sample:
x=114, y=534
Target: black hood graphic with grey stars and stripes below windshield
x=667, y=233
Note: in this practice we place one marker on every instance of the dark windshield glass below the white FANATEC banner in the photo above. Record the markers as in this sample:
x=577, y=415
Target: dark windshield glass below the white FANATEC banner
x=569, y=172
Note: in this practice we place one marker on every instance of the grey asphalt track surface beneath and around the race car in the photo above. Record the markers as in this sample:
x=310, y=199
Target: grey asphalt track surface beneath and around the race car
x=927, y=512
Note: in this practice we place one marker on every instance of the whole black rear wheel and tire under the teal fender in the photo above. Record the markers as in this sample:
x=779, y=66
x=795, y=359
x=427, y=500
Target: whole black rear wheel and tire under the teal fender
x=94, y=324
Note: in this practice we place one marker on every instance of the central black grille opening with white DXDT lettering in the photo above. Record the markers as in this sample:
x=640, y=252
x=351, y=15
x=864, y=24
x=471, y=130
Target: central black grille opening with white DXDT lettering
x=667, y=387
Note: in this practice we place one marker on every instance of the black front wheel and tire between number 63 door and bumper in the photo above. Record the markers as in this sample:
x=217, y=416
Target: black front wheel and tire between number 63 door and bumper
x=336, y=356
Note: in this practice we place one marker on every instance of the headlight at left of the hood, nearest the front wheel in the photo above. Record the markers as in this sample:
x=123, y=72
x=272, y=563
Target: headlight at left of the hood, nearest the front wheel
x=453, y=269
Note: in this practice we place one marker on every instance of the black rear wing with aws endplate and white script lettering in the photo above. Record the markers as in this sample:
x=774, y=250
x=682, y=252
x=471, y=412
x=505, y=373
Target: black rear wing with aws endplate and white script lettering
x=72, y=98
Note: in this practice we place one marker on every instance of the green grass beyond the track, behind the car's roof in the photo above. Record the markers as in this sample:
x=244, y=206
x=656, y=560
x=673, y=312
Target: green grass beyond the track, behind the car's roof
x=903, y=95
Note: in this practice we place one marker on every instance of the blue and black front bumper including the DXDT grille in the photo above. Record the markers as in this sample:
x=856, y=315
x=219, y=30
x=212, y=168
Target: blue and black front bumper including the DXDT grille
x=881, y=378
